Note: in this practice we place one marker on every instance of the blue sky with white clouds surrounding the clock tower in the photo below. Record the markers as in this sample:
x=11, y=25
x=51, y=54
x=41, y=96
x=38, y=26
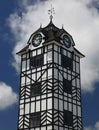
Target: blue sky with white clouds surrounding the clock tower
x=18, y=20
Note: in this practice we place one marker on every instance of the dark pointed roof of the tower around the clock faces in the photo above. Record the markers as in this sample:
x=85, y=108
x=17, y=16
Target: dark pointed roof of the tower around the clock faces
x=51, y=33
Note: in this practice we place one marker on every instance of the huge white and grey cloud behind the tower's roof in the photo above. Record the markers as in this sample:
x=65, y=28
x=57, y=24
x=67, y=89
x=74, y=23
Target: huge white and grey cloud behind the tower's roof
x=79, y=17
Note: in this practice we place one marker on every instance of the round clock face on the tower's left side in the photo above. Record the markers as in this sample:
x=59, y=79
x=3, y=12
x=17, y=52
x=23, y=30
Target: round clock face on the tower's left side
x=36, y=40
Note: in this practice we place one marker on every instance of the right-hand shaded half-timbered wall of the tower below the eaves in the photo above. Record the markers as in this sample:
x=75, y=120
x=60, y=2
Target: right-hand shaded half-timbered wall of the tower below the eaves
x=67, y=91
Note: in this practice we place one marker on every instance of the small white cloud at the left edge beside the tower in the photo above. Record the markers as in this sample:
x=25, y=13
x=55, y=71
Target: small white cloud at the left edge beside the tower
x=7, y=96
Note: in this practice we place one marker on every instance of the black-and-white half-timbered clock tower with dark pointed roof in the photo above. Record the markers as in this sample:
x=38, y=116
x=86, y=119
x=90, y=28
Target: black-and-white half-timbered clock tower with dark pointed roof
x=50, y=88
